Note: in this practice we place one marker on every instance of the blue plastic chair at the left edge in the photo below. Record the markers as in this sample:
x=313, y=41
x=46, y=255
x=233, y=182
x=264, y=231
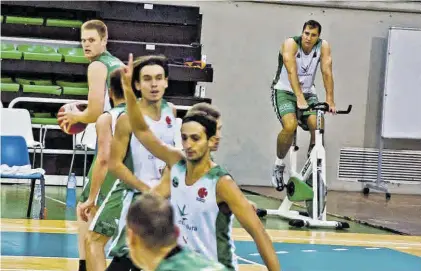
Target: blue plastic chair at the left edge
x=14, y=152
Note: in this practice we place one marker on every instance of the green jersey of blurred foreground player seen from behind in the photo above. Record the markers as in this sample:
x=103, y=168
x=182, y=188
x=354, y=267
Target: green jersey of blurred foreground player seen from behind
x=187, y=260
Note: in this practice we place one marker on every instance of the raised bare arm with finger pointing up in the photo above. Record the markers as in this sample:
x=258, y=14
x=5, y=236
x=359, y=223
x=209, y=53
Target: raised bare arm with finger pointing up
x=139, y=126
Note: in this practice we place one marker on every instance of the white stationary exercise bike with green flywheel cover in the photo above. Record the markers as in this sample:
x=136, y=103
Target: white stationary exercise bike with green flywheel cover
x=309, y=184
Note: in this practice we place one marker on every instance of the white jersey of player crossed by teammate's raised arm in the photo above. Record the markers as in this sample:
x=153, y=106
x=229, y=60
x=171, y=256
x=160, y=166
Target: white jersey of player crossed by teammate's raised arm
x=139, y=160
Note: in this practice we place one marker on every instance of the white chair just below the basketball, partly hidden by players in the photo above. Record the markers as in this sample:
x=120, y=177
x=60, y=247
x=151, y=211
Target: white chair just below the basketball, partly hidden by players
x=85, y=141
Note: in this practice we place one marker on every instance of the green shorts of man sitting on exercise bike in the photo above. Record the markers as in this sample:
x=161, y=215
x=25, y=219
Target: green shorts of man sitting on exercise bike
x=285, y=102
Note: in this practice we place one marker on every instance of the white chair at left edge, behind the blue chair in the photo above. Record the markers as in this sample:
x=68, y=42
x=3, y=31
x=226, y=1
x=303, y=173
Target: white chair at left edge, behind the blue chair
x=17, y=122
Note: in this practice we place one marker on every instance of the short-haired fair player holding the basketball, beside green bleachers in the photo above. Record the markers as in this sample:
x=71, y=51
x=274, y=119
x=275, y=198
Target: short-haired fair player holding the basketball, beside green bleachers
x=94, y=37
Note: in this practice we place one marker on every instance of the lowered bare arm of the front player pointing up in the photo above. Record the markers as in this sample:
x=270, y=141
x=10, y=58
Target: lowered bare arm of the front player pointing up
x=227, y=191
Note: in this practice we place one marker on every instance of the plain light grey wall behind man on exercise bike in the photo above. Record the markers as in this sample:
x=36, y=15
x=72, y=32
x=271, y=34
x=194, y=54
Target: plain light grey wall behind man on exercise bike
x=242, y=39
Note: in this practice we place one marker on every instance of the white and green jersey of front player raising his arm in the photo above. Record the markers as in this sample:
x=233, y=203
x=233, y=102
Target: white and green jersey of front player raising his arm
x=204, y=228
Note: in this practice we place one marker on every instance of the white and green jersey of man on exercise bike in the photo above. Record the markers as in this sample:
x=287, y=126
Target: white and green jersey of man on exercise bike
x=306, y=69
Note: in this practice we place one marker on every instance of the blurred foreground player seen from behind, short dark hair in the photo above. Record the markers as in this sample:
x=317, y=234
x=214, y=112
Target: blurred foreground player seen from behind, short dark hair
x=152, y=239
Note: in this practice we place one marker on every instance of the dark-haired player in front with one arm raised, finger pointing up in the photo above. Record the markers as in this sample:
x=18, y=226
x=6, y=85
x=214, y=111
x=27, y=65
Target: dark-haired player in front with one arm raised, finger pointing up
x=204, y=193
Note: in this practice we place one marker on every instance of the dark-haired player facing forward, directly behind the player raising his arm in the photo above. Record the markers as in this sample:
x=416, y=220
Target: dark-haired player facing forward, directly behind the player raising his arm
x=135, y=167
